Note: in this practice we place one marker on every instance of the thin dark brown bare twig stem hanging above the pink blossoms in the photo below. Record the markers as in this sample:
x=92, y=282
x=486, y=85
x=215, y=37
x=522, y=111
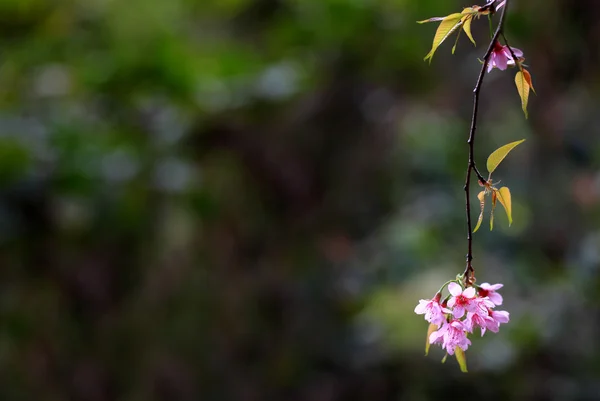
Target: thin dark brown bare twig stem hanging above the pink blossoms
x=469, y=272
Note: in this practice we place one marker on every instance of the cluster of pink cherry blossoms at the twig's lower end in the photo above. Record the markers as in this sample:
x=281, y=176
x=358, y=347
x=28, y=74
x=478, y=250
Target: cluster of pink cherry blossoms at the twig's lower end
x=461, y=312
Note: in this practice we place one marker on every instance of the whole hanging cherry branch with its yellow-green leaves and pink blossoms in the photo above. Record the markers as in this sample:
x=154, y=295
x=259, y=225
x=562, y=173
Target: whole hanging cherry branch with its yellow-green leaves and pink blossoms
x=449, y=322
